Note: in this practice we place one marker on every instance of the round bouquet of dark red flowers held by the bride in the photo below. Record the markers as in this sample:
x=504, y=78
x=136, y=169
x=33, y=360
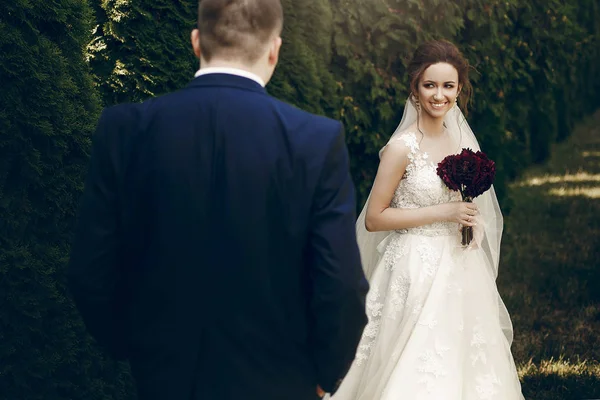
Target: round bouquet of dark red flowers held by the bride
x=471, y=173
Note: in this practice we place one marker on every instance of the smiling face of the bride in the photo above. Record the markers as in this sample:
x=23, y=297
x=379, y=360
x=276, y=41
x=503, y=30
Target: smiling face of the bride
x=438, y=89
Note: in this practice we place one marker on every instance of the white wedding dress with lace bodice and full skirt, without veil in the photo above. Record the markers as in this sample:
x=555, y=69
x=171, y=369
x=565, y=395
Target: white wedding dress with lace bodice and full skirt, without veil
x=437, y=329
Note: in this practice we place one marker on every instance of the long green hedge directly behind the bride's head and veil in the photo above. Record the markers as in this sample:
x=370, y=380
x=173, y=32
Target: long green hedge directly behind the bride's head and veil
x=535, y=72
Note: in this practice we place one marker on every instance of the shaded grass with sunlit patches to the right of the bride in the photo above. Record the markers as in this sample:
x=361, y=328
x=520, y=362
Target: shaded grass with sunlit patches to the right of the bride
x=550, y=270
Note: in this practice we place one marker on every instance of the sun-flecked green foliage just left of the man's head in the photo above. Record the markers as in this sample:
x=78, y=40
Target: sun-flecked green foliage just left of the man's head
x=141, y=48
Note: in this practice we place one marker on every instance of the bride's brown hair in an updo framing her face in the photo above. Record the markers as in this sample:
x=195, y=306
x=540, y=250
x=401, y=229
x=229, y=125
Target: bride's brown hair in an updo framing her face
x=438, y=51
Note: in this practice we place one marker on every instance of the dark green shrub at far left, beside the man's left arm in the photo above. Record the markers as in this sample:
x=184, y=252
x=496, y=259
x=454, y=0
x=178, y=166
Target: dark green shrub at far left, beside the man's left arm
x=47, y=110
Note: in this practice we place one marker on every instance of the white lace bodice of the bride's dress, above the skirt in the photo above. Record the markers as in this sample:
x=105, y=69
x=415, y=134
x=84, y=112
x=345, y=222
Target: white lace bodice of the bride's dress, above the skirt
x=422, y=187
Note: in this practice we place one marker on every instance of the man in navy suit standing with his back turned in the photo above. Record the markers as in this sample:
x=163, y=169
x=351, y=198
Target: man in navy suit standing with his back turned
x=215, y=248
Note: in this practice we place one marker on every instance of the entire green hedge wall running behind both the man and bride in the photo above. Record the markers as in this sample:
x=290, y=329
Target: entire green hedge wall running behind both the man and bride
x=536, y=74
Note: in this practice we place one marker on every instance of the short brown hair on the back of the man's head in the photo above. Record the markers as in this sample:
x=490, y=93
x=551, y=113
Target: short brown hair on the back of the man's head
x=238, y=30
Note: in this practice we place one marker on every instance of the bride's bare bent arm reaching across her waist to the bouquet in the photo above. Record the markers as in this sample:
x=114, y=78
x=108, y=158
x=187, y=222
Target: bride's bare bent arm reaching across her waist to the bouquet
x=381, y=217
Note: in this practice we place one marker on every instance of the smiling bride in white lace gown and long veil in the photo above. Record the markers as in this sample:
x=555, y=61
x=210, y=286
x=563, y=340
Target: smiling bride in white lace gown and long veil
x=438, y=328
